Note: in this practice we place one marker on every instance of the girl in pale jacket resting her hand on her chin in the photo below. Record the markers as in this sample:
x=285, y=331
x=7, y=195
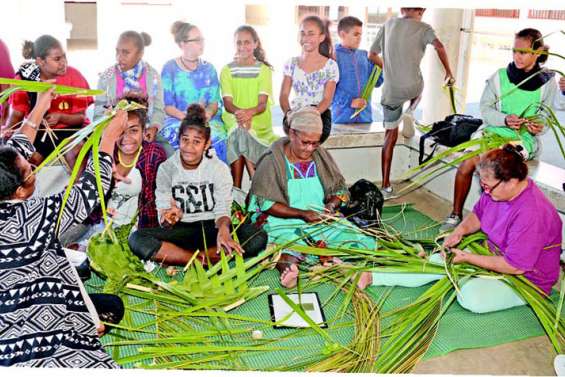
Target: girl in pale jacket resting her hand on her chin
x=132, y=76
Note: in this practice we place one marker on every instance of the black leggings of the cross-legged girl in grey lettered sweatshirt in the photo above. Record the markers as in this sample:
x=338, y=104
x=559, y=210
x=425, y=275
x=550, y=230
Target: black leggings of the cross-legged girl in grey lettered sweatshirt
x=198, y=235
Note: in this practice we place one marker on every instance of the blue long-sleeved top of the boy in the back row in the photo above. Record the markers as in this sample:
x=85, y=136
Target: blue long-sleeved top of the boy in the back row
x=354, y=71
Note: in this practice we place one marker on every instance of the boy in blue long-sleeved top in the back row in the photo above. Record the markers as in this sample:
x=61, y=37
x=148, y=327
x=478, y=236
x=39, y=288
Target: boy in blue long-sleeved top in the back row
x=354, y=71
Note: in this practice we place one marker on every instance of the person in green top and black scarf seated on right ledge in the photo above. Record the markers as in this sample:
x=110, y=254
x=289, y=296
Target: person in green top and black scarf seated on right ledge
x=502, y=117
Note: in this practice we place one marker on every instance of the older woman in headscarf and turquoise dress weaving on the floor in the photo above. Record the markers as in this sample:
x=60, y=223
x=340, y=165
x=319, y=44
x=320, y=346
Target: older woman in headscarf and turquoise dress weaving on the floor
x=295, y=183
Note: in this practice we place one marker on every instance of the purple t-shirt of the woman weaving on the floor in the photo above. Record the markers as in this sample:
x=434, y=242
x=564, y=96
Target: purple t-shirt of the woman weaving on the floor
x=527, y=230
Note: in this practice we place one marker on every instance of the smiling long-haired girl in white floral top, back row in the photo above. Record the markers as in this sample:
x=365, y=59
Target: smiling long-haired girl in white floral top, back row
x=313, y=75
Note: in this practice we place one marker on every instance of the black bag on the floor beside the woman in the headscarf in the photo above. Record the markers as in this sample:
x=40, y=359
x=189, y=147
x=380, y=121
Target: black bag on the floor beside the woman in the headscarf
x=365, y=205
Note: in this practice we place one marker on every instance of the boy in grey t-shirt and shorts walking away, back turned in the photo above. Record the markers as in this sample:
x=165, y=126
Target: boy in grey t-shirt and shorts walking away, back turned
x=402, y=42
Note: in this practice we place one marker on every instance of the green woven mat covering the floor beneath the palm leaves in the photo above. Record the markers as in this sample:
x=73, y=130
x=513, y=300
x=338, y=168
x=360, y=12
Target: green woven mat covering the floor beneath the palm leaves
x=458, y=328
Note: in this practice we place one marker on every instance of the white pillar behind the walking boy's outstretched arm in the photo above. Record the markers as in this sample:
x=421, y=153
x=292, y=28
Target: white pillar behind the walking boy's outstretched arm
x=452, y=27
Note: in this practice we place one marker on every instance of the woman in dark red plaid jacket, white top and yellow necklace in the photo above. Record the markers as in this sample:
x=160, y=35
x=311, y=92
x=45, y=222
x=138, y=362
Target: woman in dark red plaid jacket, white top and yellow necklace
x=132, y=192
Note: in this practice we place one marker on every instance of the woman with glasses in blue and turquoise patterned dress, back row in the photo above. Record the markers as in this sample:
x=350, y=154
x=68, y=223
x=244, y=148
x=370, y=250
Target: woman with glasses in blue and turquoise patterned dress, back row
x=189, y=79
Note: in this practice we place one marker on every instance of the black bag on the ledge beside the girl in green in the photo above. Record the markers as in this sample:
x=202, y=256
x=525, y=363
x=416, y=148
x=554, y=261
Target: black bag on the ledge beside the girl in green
x=452, y=131
